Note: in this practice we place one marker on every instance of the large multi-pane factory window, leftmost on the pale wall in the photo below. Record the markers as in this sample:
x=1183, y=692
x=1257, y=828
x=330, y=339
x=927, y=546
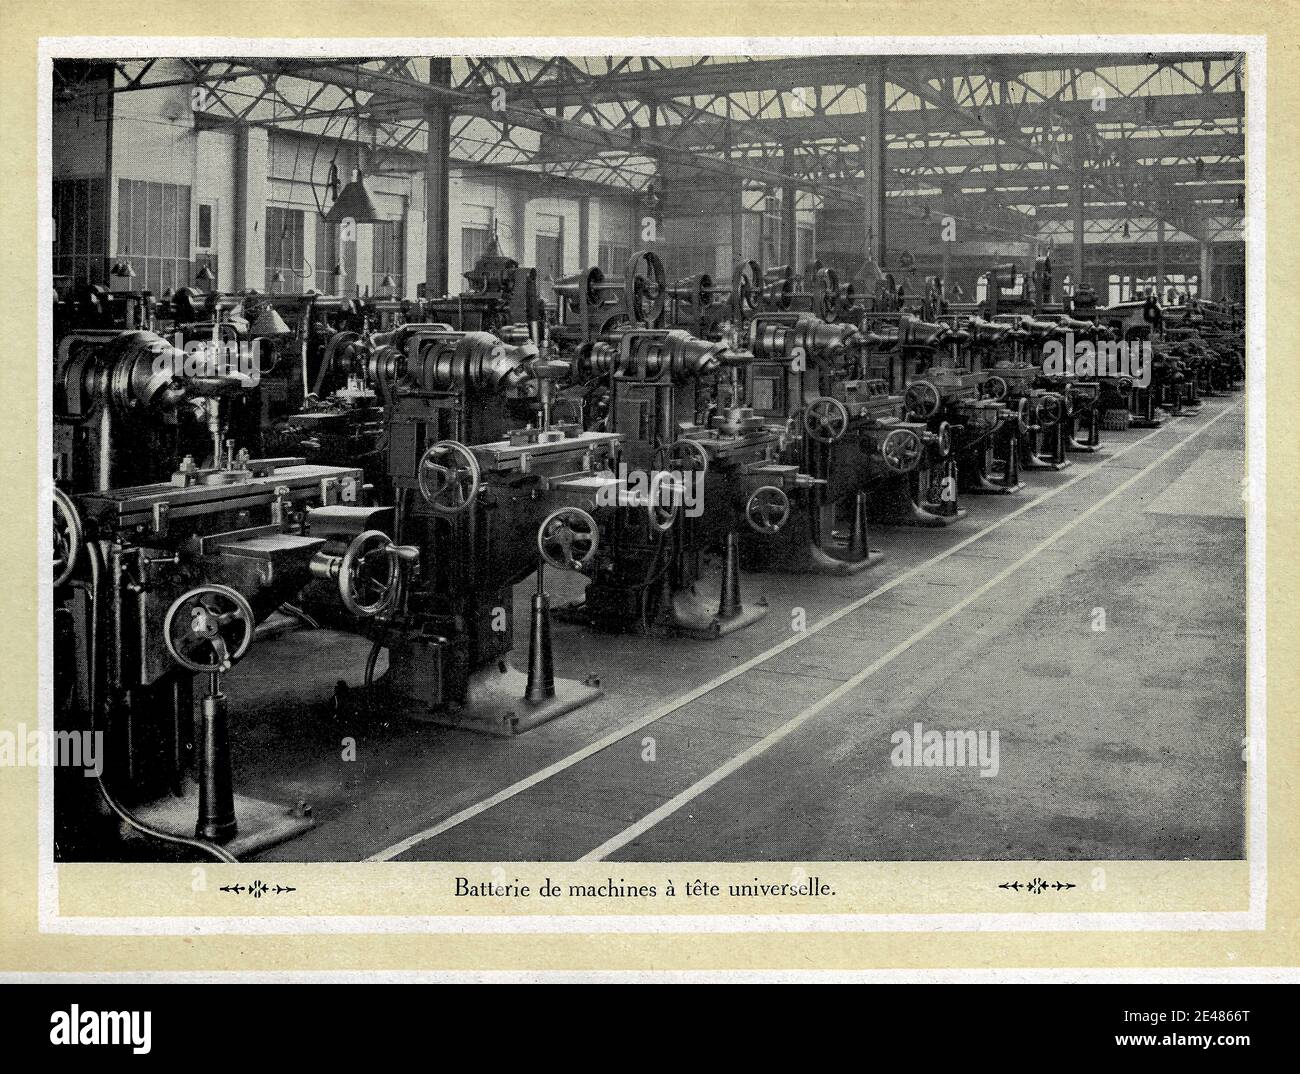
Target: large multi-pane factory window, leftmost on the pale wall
x=154, y=235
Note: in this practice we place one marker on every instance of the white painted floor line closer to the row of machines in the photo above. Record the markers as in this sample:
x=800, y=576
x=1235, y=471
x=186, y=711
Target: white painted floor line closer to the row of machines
x=618, y=735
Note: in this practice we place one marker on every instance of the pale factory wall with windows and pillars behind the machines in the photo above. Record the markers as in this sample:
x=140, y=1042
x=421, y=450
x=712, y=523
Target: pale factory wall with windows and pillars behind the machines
x=157, y=140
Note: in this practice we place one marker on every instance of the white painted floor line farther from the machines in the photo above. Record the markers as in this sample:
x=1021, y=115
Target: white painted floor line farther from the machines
x=760, y=748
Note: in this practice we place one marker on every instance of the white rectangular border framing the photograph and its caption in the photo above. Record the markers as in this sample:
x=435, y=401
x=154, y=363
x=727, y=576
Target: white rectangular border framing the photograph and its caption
x=1255, y=235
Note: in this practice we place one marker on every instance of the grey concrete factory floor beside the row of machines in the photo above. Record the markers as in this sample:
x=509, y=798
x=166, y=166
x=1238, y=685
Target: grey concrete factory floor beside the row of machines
x=1116, y=744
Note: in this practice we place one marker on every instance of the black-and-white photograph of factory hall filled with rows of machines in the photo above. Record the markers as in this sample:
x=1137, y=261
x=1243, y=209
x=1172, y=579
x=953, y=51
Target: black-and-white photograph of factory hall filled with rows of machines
x=642, y=458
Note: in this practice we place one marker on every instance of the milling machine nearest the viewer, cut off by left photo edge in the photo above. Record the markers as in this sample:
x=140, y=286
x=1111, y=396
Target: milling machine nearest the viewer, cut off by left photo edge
x=164, y=579
